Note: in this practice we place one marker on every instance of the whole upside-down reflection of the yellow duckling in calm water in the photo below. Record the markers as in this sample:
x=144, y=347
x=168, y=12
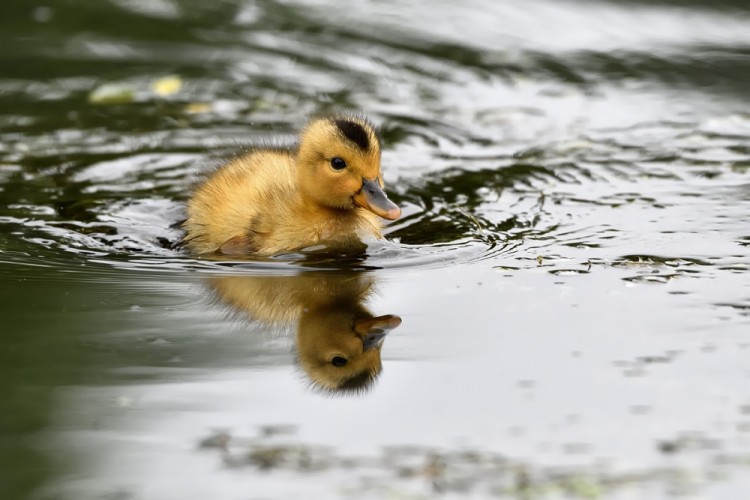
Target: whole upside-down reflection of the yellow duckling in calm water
x=338, y=339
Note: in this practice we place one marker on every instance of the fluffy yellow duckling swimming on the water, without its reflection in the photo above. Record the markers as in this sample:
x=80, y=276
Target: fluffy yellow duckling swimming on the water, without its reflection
x=327, y=191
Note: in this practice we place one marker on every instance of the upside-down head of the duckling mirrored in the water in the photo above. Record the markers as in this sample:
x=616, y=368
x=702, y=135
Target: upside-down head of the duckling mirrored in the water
x=339, y=346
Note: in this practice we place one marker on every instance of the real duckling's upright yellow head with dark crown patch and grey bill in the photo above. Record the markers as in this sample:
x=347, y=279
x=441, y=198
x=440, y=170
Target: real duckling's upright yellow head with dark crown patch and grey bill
x=338, y=166
